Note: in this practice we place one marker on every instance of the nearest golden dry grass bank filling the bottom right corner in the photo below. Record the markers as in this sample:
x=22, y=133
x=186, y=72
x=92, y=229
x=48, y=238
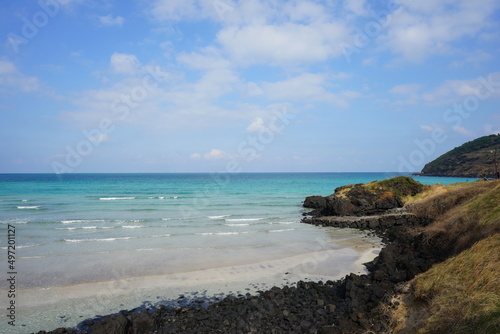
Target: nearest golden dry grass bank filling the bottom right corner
x=464, y=292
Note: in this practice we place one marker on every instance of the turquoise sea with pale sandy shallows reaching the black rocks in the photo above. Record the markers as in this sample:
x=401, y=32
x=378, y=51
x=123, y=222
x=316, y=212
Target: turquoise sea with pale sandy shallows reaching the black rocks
x=79, y=246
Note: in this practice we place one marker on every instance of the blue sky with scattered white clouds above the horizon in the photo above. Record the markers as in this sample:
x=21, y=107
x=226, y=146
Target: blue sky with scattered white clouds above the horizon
x=244, y=85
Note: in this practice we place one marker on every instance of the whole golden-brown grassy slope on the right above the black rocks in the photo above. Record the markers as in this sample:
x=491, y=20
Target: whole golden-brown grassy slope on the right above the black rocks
x=462, y=294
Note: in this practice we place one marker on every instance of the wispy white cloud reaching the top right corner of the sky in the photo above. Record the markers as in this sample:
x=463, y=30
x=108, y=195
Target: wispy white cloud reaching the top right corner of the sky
x=419, y=29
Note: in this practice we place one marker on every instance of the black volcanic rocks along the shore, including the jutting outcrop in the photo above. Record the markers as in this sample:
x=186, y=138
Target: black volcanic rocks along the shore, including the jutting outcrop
x=355, y=304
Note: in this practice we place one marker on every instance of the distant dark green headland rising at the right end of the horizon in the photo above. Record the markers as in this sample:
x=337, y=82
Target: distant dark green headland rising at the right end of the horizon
x=472, y=159
